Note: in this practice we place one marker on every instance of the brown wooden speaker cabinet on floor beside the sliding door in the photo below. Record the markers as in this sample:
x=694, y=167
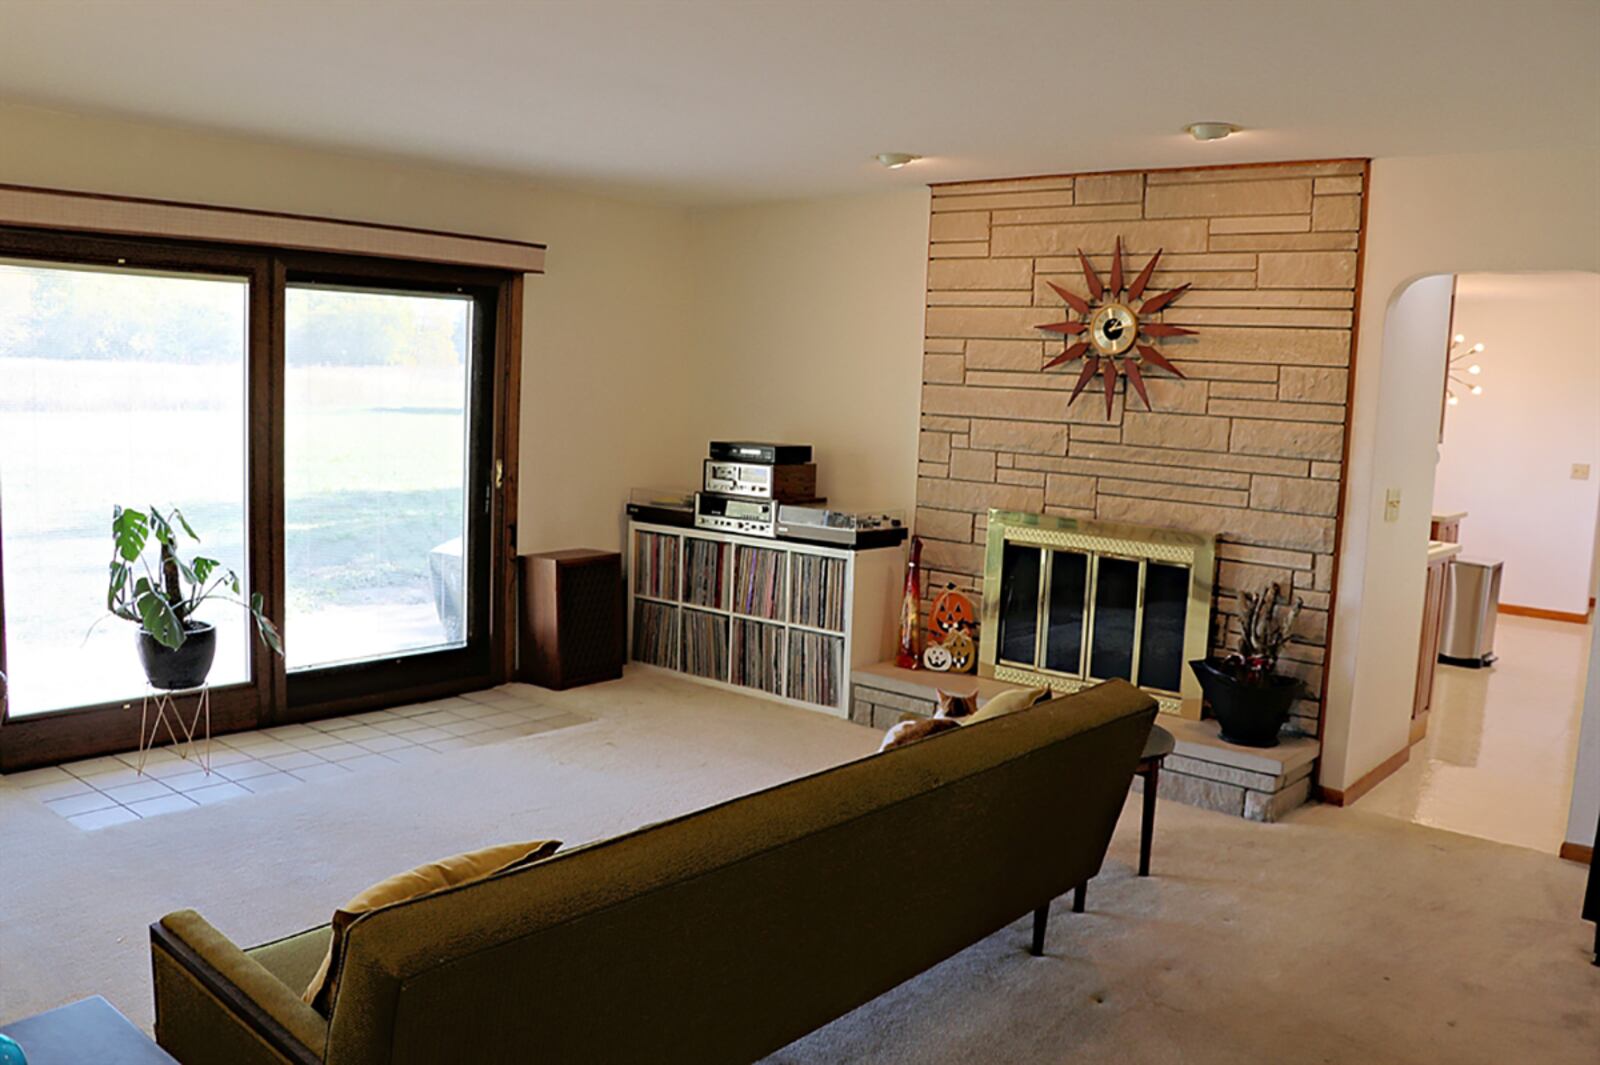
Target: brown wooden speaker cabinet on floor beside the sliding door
x=572, y=618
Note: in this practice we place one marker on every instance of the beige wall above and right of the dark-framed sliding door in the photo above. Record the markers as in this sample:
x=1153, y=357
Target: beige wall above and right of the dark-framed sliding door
x=606, y=327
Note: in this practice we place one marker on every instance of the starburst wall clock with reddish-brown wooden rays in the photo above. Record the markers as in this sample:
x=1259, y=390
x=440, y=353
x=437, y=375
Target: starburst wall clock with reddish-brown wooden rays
x=1114, y=327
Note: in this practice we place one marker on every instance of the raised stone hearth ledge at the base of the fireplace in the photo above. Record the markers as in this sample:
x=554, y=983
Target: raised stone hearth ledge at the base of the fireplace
x=1258, y=784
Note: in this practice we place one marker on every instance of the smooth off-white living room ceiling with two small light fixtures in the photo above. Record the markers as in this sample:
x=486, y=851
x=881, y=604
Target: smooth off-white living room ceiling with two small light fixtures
x=727, y=100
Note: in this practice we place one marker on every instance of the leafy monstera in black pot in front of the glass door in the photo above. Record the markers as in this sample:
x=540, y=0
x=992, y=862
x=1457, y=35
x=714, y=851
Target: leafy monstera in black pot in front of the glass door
x=175, y=647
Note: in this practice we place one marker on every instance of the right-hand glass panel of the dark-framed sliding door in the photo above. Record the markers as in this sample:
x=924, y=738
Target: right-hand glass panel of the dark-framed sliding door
x=385, y=482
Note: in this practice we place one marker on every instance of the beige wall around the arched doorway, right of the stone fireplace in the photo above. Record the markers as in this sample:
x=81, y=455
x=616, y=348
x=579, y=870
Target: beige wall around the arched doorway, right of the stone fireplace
x=1503, y=212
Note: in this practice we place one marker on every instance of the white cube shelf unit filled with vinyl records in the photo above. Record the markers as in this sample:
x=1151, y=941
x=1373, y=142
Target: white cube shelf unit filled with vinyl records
x=770, y=618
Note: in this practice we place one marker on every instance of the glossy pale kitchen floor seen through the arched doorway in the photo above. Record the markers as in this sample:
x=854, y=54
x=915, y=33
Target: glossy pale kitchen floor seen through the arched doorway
x=1502, y=743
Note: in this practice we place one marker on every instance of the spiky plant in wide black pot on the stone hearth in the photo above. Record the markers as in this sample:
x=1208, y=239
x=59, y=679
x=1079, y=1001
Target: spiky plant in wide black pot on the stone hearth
x=1247, y=695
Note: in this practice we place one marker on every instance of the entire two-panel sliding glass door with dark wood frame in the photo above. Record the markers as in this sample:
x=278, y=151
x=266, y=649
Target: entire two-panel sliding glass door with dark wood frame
x=330, y=426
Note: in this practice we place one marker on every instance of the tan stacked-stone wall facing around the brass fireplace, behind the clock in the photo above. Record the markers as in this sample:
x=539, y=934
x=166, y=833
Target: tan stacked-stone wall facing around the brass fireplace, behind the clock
x=1247, y=447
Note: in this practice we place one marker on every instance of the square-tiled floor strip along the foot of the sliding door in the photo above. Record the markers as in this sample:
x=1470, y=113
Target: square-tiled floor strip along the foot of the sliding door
x=111, y=791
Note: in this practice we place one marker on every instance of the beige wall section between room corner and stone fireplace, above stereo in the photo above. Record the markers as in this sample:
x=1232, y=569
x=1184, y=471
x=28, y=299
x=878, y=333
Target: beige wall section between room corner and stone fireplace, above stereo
x=807, y=327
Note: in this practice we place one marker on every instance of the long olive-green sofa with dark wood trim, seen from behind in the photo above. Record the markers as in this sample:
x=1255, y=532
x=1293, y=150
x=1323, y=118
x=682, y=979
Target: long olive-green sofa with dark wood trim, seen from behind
x=713, y=938
